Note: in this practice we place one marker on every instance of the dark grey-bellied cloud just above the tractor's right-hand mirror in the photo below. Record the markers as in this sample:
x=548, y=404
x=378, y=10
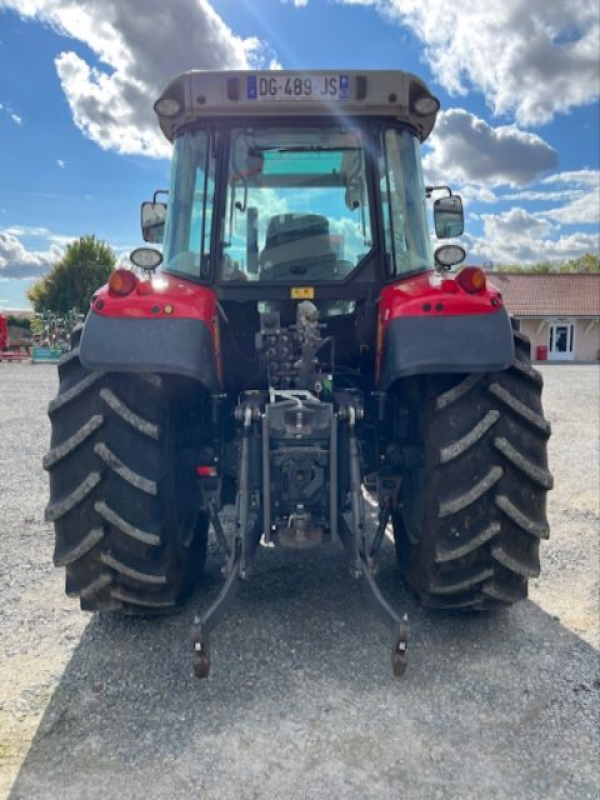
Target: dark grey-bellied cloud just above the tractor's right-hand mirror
x=465, y=149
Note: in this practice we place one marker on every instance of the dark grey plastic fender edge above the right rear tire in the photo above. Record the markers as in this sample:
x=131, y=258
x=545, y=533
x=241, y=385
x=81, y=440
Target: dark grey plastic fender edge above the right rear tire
x=444, y=344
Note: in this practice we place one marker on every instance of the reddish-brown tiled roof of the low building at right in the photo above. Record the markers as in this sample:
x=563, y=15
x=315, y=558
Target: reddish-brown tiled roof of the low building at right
x=549, y=294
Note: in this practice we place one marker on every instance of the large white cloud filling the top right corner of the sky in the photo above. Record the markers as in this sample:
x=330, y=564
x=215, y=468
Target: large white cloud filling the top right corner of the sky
x=531, y=58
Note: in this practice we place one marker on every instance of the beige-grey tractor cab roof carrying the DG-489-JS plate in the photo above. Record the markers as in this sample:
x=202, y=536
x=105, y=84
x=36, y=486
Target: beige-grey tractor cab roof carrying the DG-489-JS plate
x=197, y=95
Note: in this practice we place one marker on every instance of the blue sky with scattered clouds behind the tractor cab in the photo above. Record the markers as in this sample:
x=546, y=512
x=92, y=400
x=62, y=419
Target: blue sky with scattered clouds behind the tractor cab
x=80, y=149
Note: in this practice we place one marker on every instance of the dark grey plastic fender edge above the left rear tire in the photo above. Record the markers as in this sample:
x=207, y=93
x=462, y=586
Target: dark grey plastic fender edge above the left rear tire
x=172, y=346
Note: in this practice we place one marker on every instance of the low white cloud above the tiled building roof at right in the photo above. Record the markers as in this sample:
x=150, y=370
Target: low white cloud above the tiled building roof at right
x=517, y=236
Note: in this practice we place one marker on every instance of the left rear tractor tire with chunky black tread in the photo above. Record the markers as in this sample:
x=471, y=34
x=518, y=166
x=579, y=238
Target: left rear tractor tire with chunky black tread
x=128, y=529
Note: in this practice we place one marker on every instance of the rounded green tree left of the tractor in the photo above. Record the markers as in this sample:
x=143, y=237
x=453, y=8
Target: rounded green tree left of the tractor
x=70, y=284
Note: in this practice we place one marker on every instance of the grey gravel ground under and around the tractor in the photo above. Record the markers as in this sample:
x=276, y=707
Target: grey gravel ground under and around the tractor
x=300, y=702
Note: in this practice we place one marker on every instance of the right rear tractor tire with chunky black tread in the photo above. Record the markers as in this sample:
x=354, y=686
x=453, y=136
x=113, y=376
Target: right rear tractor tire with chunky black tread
x=472, y=517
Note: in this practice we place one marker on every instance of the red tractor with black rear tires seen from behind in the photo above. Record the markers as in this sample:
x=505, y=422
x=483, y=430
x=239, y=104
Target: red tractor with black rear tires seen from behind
x=299, y=346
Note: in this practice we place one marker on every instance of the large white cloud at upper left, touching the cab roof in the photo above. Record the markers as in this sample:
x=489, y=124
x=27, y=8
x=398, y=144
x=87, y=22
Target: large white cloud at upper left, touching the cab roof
x=141, y=45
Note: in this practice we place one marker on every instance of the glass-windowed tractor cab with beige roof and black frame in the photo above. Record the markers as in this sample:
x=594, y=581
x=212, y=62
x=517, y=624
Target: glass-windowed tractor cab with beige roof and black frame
x=287, y=188
